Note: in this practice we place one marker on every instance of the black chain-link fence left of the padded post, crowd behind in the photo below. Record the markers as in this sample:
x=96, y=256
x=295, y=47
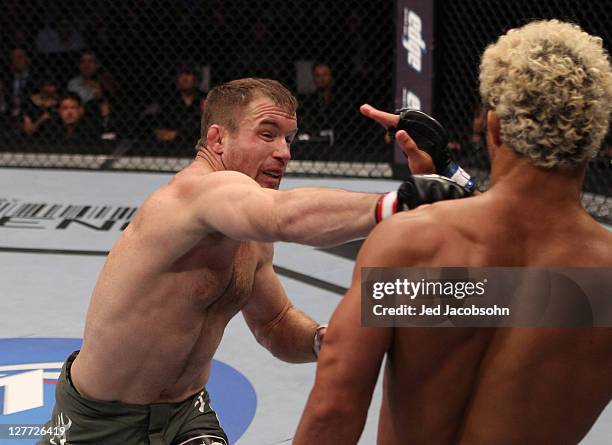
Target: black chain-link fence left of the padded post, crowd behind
x=97, y=84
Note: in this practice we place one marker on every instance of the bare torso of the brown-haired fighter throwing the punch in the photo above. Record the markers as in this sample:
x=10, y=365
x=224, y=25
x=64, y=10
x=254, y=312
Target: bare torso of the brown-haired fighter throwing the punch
x=159, y=309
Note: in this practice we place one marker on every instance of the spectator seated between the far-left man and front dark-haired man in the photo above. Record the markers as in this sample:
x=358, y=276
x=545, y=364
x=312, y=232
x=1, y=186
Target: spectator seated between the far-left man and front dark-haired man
x=41, y=106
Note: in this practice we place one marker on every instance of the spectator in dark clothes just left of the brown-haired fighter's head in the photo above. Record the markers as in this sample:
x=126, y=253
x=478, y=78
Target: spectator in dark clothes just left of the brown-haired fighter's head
x=177, y=124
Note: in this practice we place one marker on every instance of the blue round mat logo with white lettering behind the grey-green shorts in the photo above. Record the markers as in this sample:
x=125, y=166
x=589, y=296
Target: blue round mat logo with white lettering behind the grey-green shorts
x=30, y=367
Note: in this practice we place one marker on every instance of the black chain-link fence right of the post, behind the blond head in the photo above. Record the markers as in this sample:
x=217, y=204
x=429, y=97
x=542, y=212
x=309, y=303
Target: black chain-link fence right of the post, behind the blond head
x=464, y=29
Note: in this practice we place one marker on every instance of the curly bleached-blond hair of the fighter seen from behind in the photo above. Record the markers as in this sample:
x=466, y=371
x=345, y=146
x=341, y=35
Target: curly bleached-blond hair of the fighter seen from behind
x=550, y=84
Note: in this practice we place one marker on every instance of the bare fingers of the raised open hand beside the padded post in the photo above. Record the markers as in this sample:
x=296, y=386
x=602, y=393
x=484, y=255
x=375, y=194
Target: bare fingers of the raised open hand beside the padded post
x=419, y=162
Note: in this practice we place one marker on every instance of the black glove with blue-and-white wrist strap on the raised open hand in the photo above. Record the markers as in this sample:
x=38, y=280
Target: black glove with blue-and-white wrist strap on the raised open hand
x=431, y=137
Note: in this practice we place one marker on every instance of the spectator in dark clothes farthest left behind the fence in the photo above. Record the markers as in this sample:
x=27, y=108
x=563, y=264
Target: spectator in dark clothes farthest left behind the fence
x=18, y=84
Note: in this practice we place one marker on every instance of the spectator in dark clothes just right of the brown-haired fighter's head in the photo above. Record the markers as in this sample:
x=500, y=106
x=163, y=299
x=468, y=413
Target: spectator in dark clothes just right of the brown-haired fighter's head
x=321, y=110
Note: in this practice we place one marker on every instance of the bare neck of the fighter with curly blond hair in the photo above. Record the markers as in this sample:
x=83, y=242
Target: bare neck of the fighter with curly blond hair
x=512, y=175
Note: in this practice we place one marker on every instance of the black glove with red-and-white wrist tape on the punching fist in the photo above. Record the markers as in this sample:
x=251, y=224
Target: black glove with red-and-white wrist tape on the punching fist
x=417, y=190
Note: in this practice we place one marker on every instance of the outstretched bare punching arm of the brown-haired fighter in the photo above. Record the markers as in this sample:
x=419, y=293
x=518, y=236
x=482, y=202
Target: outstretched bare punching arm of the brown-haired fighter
x=233, y=204
